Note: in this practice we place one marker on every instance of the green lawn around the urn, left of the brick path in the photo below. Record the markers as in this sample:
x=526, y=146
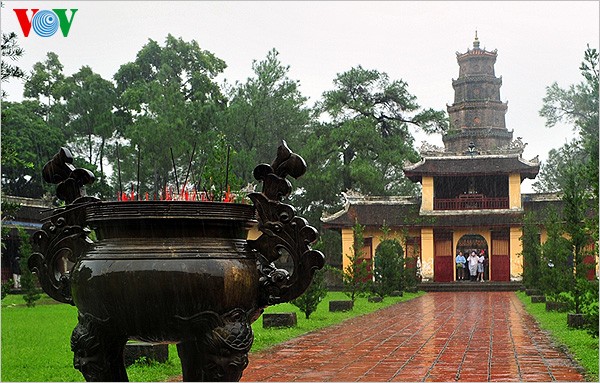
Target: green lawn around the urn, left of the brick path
x=36, y=341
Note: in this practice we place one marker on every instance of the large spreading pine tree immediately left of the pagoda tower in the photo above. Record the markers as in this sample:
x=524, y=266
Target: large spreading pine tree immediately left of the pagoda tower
x=362, y=138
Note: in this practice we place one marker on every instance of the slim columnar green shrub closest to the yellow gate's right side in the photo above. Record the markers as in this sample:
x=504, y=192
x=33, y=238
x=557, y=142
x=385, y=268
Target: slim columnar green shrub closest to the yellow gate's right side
x=531, y=252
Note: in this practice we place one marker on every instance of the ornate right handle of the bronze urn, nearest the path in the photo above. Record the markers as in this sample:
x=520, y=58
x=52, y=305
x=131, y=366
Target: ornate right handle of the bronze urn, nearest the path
x=283, y=233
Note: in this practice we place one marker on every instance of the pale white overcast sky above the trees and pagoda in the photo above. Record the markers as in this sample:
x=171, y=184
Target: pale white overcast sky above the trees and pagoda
x=538, y=43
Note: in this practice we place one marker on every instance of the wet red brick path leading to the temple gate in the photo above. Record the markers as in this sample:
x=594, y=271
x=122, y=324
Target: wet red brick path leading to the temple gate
x=441, y=336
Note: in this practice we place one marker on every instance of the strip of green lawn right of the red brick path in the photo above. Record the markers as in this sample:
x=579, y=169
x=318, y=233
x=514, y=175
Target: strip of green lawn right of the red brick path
x=582, y=346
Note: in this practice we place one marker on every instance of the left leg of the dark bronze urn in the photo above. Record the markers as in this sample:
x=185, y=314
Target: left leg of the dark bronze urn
x=98, y=350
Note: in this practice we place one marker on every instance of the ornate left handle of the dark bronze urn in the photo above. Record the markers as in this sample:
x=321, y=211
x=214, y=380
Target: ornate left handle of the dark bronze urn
x=63, y=238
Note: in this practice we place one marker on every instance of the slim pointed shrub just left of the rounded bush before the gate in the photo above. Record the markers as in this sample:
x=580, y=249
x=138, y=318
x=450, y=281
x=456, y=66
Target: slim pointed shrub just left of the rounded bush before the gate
x=355, y=277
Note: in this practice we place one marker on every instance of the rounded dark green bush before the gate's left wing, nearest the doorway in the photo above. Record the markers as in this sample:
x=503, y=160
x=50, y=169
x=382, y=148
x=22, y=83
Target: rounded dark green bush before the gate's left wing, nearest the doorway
x=388, y=272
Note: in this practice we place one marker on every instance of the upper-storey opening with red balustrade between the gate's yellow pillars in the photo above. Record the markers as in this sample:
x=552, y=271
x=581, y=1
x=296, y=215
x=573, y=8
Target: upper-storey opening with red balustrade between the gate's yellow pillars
x=470, y=192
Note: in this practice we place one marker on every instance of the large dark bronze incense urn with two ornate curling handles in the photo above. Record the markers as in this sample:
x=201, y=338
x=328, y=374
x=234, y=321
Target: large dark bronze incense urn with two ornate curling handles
x=178, y=272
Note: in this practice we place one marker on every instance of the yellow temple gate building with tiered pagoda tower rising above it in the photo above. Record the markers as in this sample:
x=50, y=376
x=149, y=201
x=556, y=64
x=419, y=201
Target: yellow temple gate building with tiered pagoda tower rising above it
x=471, y=188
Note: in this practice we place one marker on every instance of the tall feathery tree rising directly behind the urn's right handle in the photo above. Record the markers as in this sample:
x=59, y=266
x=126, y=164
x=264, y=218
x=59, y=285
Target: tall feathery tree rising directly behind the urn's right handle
x=264, y=110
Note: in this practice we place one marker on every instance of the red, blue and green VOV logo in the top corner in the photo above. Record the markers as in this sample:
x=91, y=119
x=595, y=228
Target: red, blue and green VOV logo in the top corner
x=45, y=22
